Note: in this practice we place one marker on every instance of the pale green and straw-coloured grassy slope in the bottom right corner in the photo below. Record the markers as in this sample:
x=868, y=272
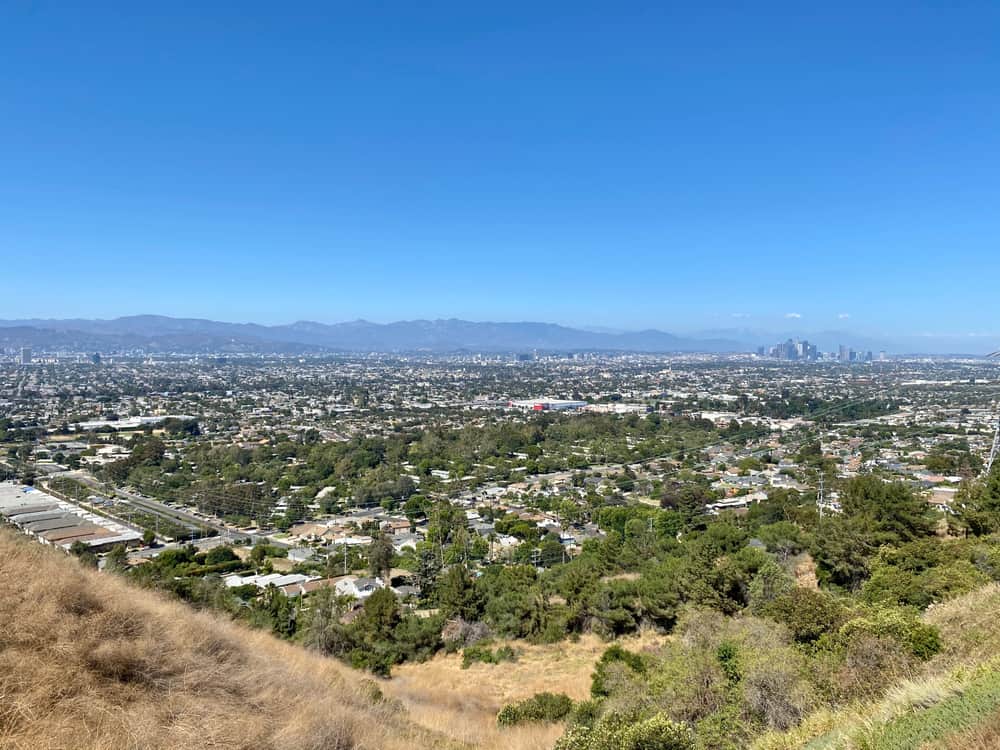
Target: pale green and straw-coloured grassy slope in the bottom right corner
x=954, y=704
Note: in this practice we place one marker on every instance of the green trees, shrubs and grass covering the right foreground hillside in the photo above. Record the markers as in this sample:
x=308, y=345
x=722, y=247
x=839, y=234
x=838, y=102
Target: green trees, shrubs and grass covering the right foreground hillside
x=798, y=665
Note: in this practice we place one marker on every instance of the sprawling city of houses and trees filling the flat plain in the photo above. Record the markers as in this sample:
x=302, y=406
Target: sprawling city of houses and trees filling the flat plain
x=159, y=452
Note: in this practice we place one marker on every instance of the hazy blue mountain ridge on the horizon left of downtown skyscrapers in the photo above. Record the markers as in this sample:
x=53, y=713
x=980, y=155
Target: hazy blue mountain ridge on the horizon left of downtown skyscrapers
x=162, y=333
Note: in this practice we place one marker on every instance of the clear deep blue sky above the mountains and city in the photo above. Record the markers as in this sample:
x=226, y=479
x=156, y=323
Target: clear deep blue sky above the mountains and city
x=682, y=166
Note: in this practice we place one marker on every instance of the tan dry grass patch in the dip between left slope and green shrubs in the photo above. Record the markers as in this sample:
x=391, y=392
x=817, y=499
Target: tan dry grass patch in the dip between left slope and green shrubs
x=465, y=701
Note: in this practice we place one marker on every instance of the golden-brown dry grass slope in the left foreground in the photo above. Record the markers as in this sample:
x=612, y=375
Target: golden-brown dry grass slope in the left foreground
x=89, y=663
